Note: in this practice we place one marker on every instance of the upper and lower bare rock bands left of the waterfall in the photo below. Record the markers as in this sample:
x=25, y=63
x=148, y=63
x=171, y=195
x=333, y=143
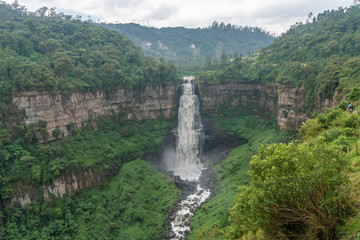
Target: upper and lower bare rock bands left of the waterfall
x=80, y=108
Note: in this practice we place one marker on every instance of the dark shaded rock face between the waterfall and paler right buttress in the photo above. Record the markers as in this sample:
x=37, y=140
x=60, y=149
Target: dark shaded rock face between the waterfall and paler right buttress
x=256, y=98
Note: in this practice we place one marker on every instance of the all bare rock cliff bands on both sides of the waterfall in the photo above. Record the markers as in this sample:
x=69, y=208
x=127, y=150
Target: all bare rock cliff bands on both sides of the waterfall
x=150, y=102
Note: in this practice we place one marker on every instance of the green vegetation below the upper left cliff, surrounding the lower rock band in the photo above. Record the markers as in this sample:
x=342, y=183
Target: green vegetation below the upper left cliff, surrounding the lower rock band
x=127, y=206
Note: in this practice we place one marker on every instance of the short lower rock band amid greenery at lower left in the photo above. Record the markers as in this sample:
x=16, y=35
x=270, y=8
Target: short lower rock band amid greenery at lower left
x=64, y=184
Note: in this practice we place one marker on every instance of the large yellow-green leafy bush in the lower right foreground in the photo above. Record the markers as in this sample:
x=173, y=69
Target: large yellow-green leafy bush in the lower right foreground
x=296, y=190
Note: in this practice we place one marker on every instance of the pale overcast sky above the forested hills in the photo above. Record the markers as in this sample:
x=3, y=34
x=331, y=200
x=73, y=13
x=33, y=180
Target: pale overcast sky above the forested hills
x=275, y=16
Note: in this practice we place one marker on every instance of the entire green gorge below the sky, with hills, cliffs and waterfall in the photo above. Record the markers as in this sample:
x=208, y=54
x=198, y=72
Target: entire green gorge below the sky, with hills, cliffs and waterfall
x=100, y=141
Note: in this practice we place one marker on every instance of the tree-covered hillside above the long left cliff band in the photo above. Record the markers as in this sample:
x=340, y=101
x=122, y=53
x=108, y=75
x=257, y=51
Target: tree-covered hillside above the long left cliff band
x=49, y=51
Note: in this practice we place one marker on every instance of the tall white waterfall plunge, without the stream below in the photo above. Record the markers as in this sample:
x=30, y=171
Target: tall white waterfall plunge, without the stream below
x=189, y=134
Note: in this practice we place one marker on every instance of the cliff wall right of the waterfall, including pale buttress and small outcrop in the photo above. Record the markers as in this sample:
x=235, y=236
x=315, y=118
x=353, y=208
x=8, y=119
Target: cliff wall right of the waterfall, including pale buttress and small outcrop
x=285, y=102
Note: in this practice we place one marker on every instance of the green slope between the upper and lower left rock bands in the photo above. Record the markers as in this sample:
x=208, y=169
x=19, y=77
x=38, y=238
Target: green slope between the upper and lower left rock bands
x=112, y=144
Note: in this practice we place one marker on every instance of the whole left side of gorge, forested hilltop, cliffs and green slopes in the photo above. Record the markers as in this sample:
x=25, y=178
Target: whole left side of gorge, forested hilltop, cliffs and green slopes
x=58, y=61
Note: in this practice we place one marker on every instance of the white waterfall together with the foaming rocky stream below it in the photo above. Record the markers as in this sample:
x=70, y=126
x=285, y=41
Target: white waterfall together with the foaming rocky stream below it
x=187, y=163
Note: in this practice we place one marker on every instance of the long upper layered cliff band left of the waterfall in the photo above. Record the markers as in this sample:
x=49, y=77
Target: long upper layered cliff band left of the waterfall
x=60, y=111
